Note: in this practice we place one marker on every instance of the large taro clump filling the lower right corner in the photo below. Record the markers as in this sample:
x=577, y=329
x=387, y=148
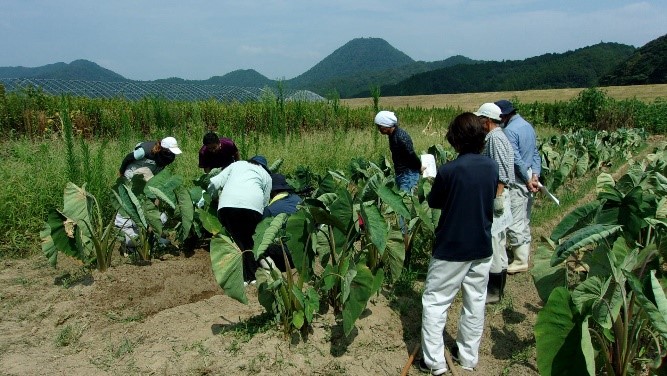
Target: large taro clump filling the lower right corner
x=606, y=309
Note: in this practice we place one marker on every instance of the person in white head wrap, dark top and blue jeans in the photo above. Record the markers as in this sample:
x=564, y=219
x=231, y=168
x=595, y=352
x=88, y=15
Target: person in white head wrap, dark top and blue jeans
x=407, y=165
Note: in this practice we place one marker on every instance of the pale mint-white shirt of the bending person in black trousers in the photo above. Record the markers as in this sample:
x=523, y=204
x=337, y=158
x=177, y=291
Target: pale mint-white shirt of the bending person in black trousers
x=241, y=185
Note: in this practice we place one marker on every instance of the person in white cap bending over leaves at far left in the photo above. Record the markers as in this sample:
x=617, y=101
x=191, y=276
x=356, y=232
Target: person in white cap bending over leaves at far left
x=147, y=159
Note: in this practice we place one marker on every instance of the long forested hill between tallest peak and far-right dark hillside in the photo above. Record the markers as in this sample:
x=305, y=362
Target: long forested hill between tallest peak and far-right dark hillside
x=579, y=68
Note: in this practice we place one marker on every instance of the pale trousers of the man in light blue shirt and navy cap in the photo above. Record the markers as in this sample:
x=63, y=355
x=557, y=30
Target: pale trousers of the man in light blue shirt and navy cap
x=522, y=201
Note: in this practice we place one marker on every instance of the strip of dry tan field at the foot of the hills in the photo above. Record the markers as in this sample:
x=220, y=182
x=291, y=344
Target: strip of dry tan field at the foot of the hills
x=471, y=101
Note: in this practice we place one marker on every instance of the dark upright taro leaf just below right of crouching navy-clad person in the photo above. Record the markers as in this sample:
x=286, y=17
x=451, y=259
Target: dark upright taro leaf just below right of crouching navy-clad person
x=298, y=229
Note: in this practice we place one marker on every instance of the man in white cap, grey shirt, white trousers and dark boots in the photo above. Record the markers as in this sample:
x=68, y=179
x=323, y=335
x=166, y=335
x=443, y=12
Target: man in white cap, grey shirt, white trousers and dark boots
x=498, y=148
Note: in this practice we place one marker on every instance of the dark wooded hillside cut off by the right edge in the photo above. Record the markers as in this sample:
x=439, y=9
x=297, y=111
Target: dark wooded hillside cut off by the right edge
x=647, y=65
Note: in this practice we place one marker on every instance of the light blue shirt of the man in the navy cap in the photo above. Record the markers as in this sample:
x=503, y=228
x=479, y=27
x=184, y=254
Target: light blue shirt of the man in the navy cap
x=521, y=136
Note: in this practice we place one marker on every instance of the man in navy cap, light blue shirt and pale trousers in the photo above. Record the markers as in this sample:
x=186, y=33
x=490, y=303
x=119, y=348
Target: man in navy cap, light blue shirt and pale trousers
x=527, y=168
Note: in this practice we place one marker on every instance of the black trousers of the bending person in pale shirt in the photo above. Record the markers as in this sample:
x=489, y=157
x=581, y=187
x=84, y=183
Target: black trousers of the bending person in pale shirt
x=241, y=224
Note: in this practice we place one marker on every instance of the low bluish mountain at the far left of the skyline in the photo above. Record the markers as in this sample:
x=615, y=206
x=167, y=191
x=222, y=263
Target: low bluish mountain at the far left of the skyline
x=83, y=70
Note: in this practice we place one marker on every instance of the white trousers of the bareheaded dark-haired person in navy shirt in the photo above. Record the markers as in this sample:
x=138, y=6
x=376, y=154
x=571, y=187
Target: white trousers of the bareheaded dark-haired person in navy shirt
x=443, y=281
